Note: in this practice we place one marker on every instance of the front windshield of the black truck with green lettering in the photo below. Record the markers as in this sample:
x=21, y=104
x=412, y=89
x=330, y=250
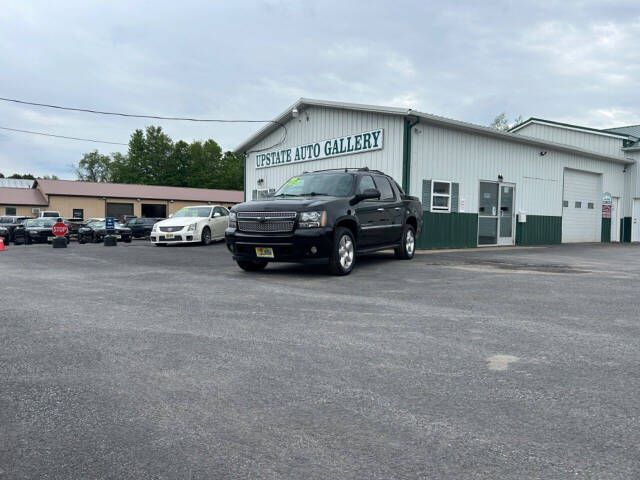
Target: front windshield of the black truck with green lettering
x=333, y=184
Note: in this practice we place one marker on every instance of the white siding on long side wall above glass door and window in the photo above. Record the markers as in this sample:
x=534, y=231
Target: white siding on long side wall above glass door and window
x=448, y=154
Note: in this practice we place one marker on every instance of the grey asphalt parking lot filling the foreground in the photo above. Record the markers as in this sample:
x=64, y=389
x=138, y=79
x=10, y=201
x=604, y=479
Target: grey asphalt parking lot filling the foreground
x=165, y=363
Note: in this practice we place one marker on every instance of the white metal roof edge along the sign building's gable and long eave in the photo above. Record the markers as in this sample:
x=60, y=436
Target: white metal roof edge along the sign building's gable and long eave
x=431, y=119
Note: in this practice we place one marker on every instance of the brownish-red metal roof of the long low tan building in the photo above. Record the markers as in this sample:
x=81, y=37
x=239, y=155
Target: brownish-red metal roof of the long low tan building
x=147, y=192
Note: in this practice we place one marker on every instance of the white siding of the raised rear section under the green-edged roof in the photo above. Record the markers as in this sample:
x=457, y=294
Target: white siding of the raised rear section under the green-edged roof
x=587, y=141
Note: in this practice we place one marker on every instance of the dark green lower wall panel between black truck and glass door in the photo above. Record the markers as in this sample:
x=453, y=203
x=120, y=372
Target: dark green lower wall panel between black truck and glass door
x=448, y=230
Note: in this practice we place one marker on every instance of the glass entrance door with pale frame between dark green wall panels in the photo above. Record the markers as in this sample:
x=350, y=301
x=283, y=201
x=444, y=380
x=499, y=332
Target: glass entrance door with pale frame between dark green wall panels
x=496, y=214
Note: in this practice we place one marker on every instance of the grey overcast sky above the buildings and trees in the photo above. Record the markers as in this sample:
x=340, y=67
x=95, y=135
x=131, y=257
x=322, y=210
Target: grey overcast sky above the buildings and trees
x=576, y=62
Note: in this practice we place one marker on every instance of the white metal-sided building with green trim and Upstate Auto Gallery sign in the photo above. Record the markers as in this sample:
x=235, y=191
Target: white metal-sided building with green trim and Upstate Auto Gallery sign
x=543, y=182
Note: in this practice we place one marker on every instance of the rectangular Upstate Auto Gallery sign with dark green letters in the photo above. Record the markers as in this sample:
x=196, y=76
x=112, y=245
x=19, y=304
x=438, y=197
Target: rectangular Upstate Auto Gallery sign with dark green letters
x=357, y=143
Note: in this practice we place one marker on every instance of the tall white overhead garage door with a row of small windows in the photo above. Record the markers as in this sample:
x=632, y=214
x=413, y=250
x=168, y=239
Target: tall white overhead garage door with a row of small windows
x=581, y=205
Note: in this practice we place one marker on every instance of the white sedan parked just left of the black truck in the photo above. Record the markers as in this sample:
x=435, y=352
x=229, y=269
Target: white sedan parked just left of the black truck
x=203, y=224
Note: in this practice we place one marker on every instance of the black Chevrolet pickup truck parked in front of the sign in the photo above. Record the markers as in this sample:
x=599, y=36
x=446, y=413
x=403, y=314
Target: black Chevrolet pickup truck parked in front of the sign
x=327, y=216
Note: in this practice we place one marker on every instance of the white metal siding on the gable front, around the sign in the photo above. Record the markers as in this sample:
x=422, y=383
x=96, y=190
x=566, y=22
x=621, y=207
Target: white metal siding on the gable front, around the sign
x=324, y=124
